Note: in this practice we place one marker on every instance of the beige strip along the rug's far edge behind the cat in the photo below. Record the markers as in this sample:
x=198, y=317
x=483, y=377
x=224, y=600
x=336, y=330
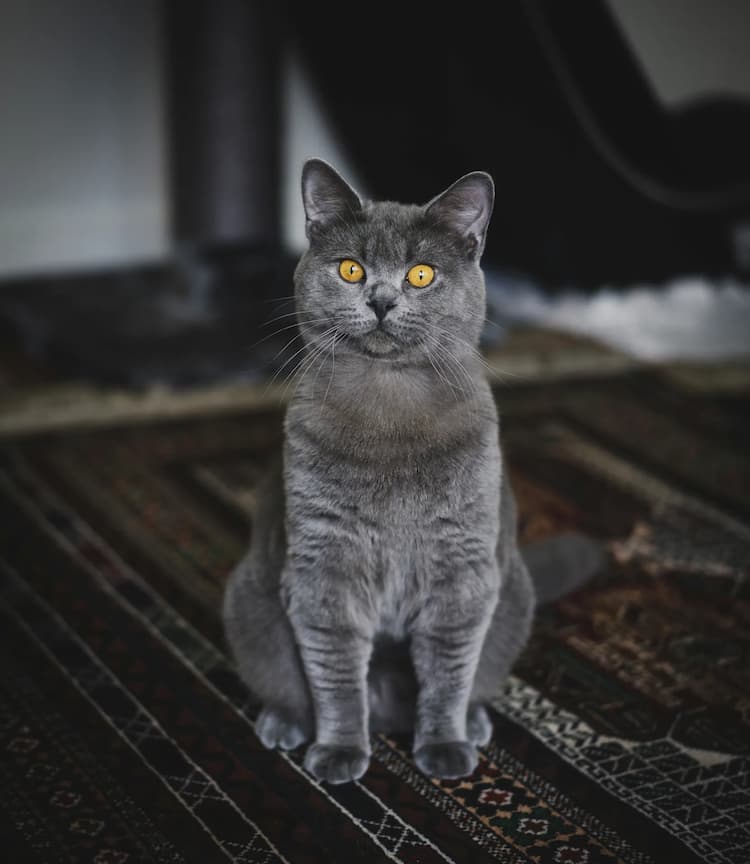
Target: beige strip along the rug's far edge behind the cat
x=35, y=400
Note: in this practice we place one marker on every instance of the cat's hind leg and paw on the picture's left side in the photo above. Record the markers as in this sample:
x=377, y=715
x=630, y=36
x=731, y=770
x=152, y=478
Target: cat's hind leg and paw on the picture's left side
x=263, y=645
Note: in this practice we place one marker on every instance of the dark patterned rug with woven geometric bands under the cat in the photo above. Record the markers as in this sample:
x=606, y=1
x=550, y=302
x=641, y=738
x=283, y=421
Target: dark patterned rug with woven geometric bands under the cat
x=623, y=735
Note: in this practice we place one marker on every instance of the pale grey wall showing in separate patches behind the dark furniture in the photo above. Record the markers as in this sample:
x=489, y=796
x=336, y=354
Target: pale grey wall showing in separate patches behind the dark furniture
x=83, y=174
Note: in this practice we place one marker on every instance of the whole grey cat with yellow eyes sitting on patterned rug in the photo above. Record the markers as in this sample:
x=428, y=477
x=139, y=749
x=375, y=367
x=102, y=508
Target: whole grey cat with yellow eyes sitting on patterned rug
x=384, y=588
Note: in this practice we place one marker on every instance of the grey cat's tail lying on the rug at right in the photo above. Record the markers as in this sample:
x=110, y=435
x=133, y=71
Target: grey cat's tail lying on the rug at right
x=562, y=563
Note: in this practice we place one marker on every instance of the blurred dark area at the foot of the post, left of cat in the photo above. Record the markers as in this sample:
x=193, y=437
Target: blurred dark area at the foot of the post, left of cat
x=181, y=325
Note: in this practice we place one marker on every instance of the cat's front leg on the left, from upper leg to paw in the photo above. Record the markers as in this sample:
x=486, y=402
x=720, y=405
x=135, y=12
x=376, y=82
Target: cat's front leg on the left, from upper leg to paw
x=335, y=637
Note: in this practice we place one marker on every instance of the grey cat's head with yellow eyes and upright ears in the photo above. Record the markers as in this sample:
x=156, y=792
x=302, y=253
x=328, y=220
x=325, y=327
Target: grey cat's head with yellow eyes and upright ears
x=398, y=282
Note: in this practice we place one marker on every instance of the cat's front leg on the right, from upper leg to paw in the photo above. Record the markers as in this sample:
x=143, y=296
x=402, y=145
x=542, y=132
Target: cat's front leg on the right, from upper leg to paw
x=446, y=645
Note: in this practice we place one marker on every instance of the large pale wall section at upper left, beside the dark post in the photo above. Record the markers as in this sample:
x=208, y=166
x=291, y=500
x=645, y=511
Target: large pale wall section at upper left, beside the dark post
x=82, y=173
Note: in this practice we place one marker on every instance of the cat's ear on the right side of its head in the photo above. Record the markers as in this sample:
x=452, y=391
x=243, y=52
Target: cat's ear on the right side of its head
x=465, y=208
